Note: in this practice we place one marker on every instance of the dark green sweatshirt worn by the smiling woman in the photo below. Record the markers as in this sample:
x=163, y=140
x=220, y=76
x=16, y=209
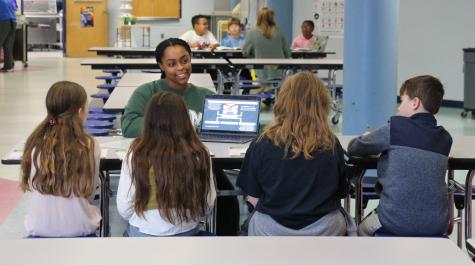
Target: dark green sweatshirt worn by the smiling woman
x=132, y=120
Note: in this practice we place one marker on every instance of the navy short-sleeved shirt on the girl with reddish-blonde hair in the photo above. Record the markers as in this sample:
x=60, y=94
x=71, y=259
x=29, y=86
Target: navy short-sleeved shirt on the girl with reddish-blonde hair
x=294, y=192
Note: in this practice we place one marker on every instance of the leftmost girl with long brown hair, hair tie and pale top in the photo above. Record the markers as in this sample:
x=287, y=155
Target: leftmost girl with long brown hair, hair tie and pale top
x=60, y=167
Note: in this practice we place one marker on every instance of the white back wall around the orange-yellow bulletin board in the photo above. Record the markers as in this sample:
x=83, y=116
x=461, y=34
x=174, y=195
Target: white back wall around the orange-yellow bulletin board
x=167, y=28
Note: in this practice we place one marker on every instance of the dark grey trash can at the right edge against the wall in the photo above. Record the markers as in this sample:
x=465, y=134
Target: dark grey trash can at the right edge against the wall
x=469, y=81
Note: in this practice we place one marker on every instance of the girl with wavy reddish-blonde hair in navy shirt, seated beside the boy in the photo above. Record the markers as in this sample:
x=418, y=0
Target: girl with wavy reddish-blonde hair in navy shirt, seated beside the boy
x=293, y=173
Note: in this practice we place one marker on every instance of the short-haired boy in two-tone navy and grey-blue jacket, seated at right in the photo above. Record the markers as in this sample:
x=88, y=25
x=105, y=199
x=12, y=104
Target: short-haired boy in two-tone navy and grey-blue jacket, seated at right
x=412, y=164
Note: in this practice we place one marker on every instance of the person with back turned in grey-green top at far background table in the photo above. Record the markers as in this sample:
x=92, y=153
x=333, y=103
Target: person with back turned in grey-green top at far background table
x=266, y=41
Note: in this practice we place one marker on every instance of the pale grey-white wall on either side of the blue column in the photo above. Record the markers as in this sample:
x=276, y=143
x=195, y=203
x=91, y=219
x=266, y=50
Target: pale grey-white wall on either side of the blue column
x=431, y=37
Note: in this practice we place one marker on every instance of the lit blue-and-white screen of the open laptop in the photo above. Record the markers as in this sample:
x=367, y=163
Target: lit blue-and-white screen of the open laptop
x=231, y=114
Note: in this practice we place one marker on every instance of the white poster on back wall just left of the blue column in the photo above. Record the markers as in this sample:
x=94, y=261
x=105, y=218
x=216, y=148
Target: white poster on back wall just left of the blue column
x=329, y=16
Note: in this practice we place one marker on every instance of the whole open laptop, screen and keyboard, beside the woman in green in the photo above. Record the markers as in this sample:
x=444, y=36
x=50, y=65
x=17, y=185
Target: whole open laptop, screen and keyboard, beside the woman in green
x=230, y=118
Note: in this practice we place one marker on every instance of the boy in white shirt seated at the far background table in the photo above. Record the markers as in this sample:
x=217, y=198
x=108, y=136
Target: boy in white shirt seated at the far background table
x=200, y=37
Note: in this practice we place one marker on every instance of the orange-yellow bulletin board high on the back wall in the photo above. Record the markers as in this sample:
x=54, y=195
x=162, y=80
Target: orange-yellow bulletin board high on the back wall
x=156, y=9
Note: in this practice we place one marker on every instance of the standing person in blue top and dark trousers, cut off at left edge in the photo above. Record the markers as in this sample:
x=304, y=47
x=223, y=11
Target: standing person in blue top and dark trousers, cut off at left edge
x=7, y=32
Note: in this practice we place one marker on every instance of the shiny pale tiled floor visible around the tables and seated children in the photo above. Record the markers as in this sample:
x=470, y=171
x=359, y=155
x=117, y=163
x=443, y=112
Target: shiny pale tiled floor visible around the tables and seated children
x=22, y=95
